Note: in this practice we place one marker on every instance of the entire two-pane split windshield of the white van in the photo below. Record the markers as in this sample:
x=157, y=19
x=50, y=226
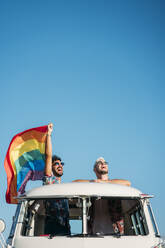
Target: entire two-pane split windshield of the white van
x=84, y=216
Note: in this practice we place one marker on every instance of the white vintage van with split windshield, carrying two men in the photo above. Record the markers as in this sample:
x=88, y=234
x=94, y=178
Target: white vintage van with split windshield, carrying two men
x=131, y=217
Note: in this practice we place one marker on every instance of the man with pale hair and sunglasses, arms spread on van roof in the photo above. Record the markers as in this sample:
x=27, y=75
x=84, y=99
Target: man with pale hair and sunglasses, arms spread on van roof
x=105, y=215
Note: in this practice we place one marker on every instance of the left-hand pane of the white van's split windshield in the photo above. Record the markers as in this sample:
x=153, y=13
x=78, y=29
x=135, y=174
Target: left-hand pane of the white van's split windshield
x=58, y=216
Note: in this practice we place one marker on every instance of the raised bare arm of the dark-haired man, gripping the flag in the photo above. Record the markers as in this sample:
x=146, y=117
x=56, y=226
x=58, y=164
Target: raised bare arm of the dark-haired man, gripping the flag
x=48, y=151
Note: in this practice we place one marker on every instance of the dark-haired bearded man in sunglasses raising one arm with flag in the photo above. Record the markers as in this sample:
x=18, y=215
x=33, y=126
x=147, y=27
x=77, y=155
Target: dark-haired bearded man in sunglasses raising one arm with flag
x=57, y=210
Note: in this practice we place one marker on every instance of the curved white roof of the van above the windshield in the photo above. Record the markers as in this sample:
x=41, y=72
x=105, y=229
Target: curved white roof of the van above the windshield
x=75, y=189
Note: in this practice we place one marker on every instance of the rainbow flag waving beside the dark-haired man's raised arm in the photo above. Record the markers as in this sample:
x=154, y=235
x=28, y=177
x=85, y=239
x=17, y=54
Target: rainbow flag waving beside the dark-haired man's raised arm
x=25, y=160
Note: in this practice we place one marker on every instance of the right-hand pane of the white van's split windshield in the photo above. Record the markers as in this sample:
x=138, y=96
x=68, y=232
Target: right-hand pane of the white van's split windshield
x=116, y=215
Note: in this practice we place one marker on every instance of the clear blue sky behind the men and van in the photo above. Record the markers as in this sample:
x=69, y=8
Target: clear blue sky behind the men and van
x=95, y=68
